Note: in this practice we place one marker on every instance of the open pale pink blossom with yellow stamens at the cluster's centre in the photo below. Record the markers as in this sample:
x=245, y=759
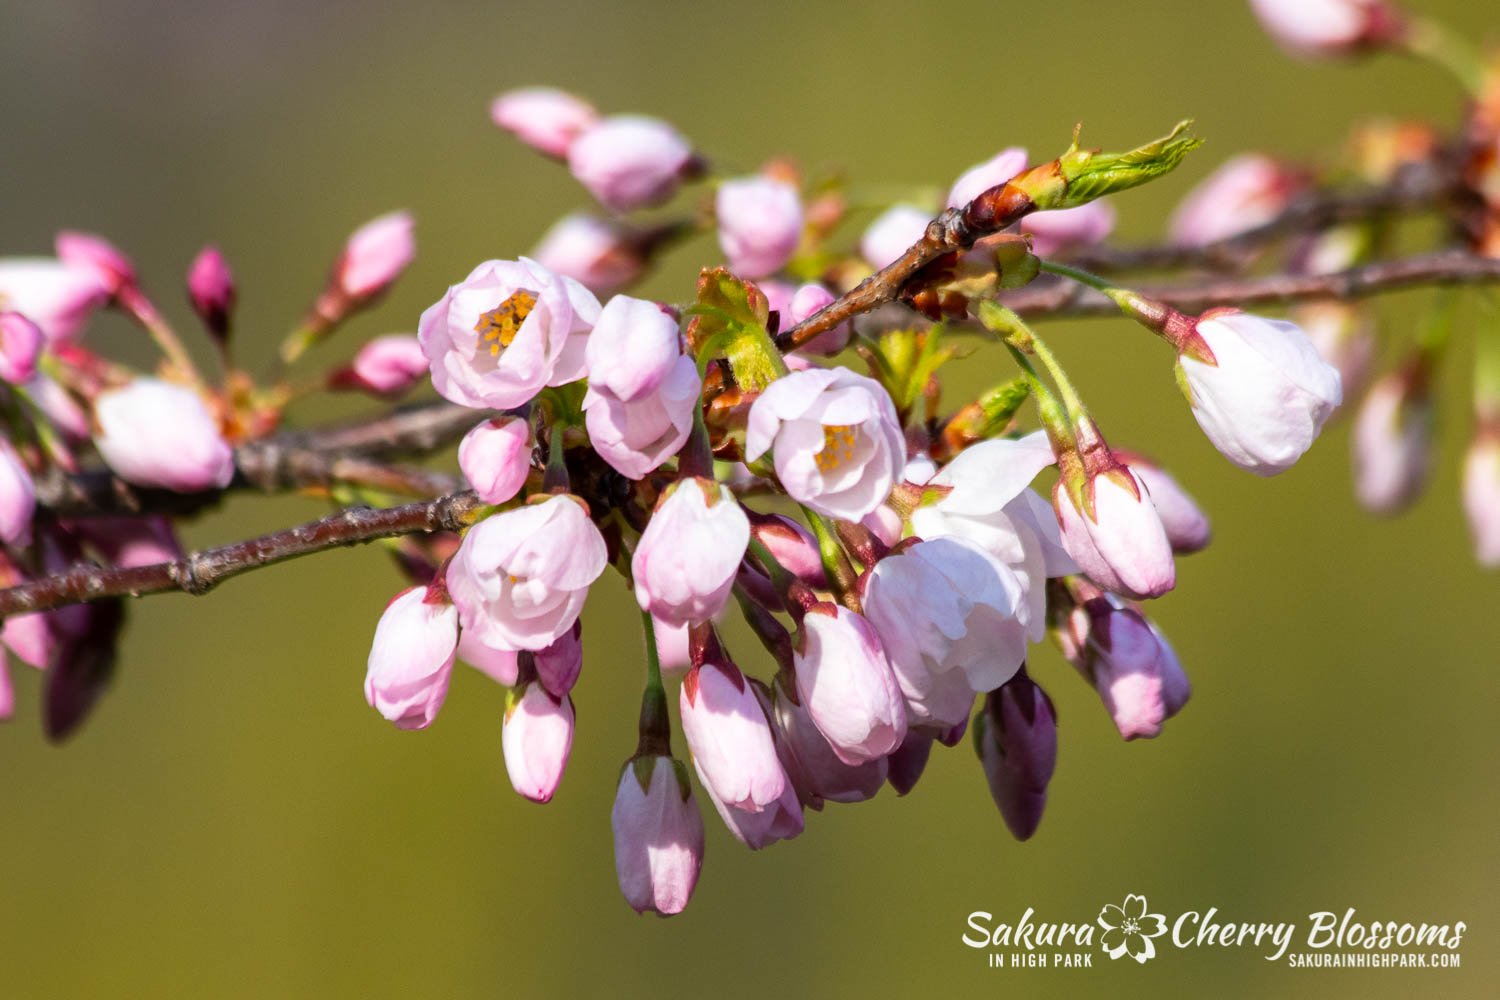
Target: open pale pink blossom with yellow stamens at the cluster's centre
x=838, y=443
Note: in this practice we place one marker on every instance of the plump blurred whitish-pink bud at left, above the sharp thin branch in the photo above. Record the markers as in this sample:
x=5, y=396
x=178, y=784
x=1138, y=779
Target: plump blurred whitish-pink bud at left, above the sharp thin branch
x=160, y=434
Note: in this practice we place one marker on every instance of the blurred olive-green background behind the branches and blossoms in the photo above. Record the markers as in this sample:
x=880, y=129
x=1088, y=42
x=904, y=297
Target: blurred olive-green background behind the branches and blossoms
x=235, y=821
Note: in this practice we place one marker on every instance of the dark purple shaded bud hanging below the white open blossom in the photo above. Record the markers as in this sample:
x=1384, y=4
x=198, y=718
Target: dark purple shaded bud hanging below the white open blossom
x=1018, y=741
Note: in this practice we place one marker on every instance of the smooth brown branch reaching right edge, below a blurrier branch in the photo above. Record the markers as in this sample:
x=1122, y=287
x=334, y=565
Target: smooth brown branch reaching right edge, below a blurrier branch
x=1058, y=299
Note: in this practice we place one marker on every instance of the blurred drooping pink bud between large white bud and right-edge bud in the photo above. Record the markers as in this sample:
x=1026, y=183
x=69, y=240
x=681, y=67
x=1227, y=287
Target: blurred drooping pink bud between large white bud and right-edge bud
x=1393, y=443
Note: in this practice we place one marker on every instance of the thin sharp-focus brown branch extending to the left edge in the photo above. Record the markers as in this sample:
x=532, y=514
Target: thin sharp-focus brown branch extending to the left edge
x=200, y=572
